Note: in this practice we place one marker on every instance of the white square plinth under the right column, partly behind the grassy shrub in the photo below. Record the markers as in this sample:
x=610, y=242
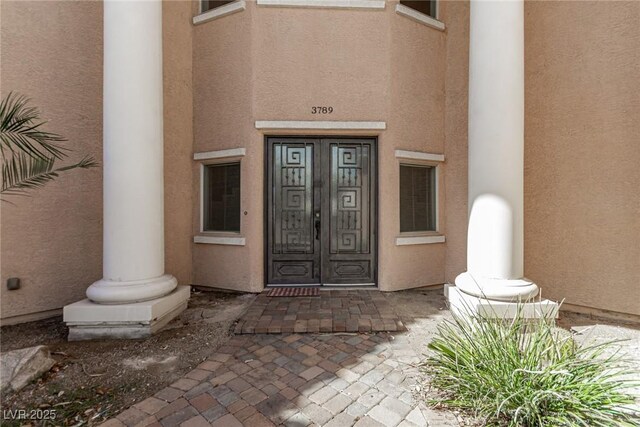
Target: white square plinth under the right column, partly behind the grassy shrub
x=461, y=304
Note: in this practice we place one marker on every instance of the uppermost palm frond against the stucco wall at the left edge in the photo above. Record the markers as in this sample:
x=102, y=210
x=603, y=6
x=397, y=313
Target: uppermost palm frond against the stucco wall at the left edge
x=21, y=130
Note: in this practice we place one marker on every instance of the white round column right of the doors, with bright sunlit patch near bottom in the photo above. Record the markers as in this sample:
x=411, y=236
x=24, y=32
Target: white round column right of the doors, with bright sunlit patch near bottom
x=496, y=153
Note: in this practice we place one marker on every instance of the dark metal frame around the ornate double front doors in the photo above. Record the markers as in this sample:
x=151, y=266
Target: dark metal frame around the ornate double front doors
x=265, y=214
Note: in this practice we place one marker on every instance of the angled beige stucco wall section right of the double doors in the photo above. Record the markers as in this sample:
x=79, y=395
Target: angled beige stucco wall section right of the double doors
x=415, y=122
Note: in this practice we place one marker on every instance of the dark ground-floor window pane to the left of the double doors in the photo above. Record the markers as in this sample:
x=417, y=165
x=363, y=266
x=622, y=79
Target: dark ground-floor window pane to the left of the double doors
x=222, y=198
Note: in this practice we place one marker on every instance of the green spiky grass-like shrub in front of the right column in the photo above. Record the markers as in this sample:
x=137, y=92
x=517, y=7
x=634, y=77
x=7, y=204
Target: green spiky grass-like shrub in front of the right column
x=528, y=373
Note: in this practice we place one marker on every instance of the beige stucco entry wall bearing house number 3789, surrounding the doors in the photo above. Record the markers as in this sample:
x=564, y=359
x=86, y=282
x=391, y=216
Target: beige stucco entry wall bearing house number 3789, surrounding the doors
x=274, y=64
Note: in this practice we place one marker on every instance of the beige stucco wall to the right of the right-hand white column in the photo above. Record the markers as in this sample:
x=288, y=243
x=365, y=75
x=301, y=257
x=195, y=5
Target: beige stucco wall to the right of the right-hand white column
x=582, y=150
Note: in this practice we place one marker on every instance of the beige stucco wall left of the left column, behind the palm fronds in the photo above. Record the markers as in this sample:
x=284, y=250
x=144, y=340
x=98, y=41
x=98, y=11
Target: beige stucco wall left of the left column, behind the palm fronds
x=52, y=53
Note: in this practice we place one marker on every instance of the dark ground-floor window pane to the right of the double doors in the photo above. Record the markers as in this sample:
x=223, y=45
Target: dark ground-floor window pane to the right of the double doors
x=417, y=198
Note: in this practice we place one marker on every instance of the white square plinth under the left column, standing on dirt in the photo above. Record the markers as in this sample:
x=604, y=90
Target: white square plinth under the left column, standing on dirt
x=88, y=320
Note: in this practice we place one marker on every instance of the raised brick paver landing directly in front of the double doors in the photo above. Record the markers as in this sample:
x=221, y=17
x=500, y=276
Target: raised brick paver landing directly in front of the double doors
x=331, y=311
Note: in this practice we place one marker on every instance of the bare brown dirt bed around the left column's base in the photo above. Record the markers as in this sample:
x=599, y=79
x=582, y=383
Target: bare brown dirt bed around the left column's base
x=93, y=381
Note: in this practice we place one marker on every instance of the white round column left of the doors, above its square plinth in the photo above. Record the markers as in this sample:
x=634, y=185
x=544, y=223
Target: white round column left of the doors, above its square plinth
x=133, y=156
